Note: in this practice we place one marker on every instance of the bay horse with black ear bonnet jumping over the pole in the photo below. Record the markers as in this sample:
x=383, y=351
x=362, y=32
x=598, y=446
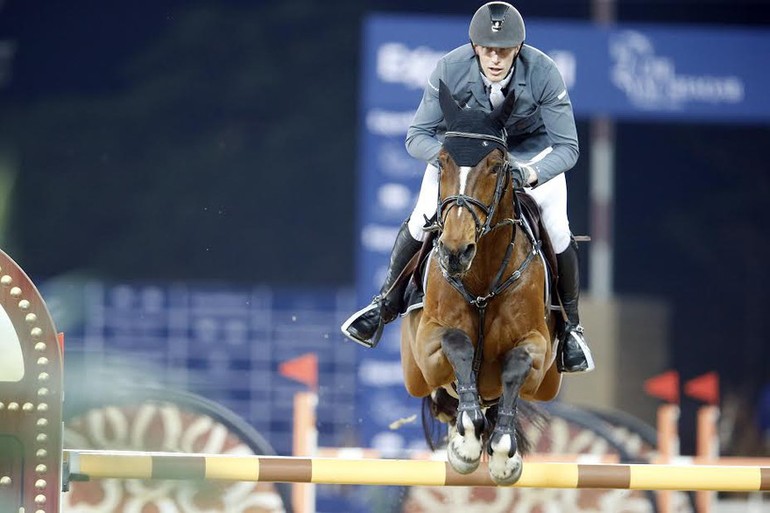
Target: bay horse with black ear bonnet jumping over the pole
x=485, y=334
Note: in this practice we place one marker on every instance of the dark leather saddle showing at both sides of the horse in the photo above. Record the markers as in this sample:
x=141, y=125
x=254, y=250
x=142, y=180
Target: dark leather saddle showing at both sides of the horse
x=416, y=268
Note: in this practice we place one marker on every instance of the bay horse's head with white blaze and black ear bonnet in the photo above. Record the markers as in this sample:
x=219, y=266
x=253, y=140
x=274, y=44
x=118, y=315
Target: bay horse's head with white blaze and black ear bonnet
x=474, y=175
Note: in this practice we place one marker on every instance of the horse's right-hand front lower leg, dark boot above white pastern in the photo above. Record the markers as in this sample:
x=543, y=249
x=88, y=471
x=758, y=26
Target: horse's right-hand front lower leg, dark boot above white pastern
x=505, y=463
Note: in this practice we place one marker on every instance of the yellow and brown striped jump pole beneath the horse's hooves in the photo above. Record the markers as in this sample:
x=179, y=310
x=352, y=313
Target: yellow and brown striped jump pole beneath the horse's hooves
x=81, y=465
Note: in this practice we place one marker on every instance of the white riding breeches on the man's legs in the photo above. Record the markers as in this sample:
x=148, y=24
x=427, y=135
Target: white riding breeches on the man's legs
x=551, y=197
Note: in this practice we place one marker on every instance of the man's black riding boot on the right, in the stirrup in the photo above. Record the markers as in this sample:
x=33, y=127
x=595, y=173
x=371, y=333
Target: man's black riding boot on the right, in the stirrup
x=573, y=353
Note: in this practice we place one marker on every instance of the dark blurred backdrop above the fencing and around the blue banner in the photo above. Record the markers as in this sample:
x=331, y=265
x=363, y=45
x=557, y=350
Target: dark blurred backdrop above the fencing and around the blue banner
x=216, y=141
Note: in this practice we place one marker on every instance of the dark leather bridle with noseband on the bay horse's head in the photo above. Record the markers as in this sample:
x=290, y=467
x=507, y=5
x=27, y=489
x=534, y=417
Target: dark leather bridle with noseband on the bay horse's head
x=468, y=202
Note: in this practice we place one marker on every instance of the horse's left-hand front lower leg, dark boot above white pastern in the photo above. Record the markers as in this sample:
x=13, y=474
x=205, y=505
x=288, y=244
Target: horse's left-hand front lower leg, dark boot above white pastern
x=464, y=450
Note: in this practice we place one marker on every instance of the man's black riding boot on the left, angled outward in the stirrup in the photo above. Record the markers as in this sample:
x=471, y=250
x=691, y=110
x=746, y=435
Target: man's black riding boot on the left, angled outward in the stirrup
x=365, y=326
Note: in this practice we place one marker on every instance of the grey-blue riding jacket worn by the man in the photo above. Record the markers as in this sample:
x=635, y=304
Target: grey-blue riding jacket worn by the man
x=541, y=129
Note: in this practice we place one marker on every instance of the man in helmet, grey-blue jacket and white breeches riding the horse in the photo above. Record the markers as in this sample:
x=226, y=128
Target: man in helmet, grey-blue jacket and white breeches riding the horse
x=542, y=145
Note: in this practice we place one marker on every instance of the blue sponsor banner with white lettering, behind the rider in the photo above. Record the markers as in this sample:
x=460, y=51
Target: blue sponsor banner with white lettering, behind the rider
x=640, y=72
